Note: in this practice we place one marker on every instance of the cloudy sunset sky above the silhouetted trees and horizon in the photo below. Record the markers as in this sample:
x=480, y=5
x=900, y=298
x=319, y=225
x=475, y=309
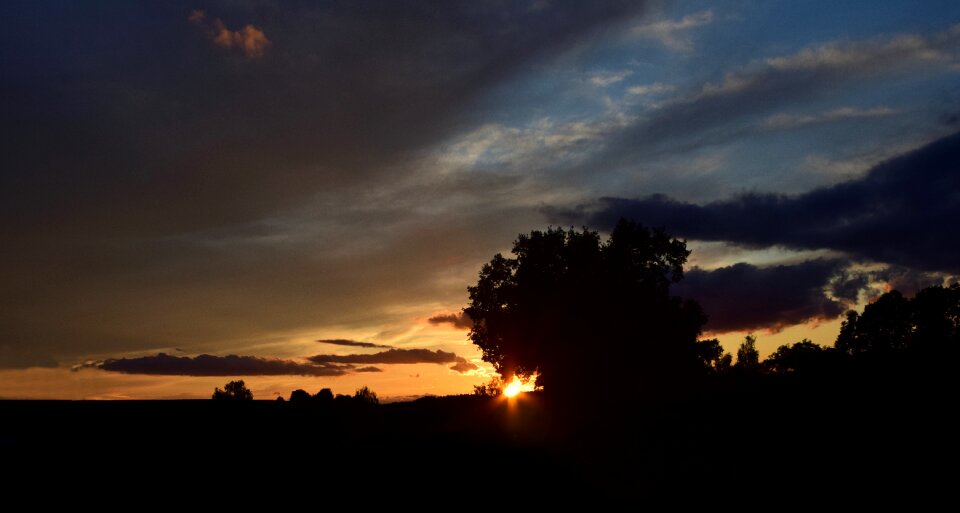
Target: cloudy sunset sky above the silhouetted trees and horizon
x=298, y=193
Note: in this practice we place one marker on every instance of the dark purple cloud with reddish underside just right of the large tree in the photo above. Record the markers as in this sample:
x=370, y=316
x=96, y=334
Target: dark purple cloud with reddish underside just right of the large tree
x=746, y=297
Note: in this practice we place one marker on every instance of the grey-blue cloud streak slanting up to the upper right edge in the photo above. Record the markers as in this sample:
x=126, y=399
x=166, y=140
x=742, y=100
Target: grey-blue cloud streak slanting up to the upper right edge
x=726, y=109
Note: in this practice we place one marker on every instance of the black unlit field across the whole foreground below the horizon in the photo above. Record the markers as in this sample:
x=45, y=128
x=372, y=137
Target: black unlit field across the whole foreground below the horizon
x=860, y=440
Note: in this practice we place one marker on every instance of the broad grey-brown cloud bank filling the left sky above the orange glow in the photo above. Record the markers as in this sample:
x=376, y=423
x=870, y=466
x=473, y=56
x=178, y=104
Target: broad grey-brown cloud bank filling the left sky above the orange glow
x=151, y=180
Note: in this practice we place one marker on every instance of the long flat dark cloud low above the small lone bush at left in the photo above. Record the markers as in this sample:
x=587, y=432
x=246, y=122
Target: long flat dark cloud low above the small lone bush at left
x=209, y=365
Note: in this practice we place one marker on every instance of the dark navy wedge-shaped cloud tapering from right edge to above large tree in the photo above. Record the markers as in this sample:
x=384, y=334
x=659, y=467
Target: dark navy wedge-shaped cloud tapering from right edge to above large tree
x=904, y=212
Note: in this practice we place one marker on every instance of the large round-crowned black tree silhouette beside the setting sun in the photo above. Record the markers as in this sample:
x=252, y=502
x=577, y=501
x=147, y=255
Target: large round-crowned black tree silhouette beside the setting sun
x=581, y=313
